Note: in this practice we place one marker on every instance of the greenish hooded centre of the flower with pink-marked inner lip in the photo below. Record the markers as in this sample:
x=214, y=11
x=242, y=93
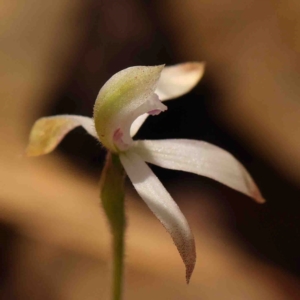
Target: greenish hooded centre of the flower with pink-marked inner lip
x=125, y=96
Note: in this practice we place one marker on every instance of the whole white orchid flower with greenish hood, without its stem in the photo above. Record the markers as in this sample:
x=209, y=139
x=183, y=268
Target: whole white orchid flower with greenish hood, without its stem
x=122, y=106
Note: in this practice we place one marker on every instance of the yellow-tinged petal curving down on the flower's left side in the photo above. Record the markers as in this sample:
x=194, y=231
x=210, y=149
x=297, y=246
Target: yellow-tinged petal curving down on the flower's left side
x=48, y=132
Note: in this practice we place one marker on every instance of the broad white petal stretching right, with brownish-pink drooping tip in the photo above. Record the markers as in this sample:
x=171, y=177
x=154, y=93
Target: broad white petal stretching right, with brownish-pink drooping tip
x=200, y=158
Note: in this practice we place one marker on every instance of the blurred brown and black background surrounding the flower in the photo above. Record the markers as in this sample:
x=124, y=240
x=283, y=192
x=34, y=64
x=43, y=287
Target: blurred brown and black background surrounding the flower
x=56, y=55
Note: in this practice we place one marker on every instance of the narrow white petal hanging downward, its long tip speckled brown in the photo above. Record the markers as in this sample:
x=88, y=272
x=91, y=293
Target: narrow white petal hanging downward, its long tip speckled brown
x=163, y=206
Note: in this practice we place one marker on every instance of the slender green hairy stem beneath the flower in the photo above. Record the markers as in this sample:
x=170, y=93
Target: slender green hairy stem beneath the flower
x=112, y=198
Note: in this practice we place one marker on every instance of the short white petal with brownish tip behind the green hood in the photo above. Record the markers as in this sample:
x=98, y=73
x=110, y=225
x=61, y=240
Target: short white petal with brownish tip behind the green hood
x=179, y=79
